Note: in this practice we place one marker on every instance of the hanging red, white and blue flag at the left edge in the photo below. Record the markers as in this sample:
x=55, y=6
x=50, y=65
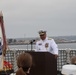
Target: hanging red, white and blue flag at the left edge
x=2, y=42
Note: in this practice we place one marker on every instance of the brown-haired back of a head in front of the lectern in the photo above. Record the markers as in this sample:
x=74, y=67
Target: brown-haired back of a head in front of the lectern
x=24, y=63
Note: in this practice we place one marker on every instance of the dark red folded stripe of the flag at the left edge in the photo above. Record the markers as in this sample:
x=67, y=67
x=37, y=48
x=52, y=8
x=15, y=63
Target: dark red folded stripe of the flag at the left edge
x=4, y=47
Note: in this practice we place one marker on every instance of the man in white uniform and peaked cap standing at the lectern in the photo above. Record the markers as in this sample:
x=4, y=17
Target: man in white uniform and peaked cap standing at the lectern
x=46, y=44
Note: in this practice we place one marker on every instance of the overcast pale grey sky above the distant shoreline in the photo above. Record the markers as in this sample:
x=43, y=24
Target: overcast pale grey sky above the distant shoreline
x=24, y=18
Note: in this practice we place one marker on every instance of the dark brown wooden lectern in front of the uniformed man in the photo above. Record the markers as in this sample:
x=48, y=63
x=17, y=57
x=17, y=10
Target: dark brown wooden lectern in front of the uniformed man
x=44, y=63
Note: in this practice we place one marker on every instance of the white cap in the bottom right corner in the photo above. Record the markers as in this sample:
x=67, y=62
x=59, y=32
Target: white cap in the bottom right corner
x=69, y=69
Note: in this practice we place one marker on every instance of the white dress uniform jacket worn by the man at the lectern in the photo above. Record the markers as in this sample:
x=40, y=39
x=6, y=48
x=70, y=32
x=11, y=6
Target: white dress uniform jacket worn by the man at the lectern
x=48, y=45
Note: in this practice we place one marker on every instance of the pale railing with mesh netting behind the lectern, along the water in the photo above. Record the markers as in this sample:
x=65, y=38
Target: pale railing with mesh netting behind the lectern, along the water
x=64, y=57
